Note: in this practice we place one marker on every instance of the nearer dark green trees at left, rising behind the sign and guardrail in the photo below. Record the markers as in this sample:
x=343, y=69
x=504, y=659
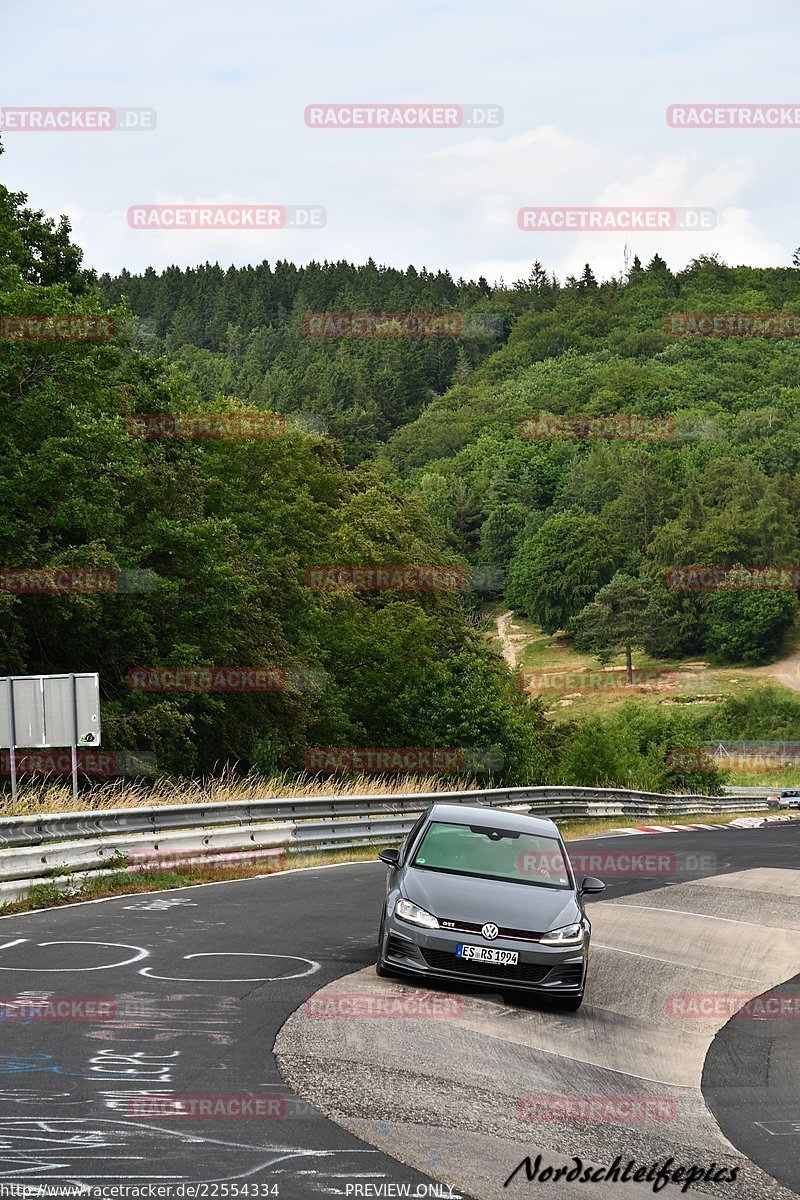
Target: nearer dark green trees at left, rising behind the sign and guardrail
x=226, y=530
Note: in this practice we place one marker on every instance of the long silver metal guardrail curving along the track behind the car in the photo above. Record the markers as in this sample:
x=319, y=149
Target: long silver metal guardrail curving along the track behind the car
x=65, y=849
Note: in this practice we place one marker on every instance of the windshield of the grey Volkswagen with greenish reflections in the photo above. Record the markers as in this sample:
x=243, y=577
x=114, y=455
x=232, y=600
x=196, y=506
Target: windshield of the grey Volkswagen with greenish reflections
x=494, y=854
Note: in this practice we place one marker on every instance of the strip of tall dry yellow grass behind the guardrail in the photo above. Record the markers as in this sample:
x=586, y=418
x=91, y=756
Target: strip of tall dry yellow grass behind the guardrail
x=41, y=796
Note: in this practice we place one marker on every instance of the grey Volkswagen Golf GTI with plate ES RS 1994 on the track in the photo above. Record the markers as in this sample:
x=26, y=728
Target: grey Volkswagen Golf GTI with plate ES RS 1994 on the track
x=489, y=897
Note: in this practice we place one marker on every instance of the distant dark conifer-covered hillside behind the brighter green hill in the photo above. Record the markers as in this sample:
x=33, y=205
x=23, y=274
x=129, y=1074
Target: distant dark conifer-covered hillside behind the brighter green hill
x=244, y=332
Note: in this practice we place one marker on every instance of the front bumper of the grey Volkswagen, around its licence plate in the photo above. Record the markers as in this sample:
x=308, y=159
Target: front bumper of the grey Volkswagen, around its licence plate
x=546, y=970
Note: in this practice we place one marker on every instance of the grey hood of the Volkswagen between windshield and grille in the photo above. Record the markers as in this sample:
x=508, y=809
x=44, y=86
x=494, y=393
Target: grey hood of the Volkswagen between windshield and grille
x=476, y=901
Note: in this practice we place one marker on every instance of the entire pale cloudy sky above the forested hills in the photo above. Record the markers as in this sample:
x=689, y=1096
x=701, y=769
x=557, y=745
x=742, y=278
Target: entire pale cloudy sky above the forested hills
x=584, y=87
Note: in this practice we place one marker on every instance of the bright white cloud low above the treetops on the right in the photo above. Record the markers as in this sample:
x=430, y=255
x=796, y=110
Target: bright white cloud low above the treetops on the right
x=477, y=189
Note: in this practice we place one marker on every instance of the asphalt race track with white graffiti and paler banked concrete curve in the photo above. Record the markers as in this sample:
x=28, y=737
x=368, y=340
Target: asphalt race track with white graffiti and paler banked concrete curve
x=203, y=981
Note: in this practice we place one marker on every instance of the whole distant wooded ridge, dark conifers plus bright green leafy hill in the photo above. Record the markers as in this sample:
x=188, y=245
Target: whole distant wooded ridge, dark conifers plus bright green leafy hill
x=560, y=515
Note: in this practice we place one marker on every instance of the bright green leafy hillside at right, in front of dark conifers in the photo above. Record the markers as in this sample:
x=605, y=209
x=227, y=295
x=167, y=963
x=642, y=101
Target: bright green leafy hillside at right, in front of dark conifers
x=715, y=485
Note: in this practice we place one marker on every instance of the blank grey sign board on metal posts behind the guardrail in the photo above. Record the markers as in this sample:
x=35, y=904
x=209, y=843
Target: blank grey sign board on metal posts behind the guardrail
x=43, y=712
